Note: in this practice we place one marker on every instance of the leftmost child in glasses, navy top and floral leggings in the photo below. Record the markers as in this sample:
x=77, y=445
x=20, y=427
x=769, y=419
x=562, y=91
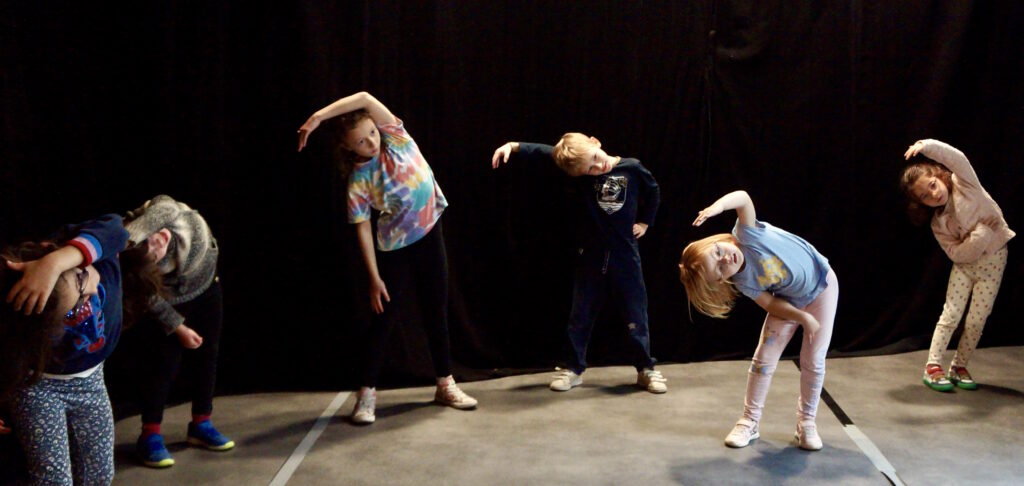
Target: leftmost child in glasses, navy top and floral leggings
x=64, y=320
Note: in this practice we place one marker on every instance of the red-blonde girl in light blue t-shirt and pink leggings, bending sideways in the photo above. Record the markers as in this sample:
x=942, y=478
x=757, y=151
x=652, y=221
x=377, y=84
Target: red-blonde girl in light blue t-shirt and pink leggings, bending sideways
x=785, y=276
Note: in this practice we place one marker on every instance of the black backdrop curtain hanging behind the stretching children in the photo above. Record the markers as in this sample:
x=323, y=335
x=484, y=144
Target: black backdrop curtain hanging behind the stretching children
x=807, y=106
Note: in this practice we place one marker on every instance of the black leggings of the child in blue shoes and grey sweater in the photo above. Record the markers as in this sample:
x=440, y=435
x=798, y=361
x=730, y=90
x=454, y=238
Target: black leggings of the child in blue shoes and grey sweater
x=205, y=315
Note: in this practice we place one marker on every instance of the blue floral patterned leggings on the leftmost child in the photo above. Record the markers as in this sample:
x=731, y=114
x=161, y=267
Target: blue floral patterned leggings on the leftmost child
x=66, y=428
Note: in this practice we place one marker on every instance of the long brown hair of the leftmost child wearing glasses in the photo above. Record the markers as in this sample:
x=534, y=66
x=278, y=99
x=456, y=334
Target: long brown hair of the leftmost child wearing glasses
x=27, y=341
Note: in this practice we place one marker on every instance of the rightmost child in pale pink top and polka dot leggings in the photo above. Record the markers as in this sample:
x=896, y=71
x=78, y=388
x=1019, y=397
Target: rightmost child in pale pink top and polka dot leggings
x=970, y=229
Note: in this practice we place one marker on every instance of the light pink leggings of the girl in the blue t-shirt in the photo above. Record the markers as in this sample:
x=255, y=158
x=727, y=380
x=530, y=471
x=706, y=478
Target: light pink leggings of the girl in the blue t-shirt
x=775, y=336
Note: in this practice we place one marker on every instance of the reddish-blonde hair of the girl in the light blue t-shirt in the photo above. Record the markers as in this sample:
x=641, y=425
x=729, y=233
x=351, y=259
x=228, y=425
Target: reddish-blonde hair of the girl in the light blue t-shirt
x=710, y=298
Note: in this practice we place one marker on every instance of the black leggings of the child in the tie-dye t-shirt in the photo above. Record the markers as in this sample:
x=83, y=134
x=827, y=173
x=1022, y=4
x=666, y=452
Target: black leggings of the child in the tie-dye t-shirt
x=418, y=272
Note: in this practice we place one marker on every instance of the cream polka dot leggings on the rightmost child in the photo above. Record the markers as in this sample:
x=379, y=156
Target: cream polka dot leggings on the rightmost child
x=980, y=282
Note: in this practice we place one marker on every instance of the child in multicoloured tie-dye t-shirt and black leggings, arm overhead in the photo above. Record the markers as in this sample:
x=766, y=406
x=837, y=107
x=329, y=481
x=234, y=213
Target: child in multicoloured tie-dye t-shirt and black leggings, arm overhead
x=389, y=173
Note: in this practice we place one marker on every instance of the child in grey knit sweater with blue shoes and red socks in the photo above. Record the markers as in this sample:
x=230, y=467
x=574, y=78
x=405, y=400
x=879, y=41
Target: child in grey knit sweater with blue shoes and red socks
x=186, y=320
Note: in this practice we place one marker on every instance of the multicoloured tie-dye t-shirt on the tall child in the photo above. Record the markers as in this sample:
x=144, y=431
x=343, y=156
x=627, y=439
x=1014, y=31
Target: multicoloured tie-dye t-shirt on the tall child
x=398, y=183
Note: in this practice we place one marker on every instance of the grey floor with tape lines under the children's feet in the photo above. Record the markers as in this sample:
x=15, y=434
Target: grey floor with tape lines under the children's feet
x=609, y=432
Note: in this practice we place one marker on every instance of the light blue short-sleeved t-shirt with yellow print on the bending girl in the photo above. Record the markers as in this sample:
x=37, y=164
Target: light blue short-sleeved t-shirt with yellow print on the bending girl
x=781, y=263
